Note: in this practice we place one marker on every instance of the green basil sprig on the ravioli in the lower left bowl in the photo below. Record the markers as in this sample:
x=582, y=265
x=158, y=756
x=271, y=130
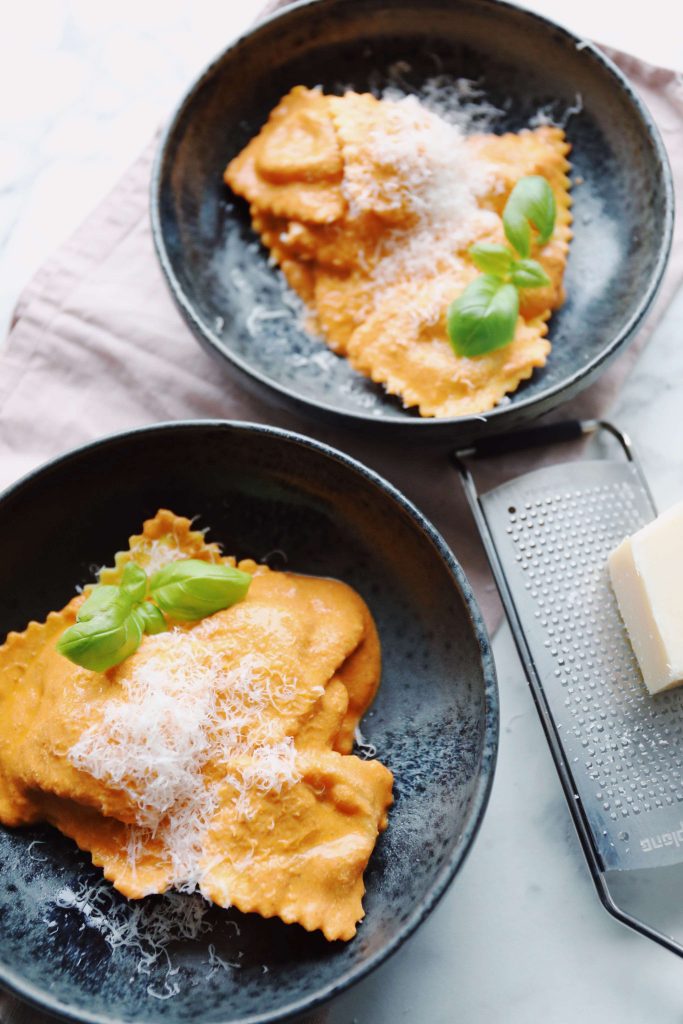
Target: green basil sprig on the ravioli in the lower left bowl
x=110, y=625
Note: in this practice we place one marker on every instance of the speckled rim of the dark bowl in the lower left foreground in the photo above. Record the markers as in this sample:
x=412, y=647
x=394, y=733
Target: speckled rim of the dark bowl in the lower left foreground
x=31, y=993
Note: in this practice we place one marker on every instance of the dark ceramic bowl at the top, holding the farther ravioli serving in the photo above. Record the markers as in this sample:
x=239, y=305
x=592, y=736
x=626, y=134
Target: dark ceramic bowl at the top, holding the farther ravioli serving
x=233, y=301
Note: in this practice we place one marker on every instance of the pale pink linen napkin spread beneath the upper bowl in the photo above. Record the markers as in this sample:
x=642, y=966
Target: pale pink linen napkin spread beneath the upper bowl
x=97, y=347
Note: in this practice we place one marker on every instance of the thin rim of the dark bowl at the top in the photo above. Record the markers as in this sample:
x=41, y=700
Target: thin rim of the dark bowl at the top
x=545, y=401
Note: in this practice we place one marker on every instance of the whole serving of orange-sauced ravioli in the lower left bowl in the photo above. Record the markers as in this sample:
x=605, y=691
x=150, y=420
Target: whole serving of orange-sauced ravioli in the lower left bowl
x=218, y=756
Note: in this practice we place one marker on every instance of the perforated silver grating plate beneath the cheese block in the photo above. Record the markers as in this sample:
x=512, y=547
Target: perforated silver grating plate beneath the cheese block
x=553, y=530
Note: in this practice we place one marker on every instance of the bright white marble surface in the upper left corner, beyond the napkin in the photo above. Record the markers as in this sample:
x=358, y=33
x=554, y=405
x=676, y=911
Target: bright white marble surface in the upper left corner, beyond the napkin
x=84, y=87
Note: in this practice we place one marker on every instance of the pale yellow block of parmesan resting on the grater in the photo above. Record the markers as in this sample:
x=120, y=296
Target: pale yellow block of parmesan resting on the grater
x=647, y=572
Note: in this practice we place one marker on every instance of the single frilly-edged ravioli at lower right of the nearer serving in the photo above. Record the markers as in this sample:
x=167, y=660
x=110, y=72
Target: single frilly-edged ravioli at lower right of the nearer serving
x=337, y=806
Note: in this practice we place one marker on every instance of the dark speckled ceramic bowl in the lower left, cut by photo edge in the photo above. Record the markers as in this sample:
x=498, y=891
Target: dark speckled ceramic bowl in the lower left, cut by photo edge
x=435, y=722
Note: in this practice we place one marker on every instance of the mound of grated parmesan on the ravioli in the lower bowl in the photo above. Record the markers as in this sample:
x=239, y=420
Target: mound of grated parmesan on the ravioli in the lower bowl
x=181, y=712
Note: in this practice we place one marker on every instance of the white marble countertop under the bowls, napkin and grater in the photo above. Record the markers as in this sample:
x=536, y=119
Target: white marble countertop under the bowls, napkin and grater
x=522, y=935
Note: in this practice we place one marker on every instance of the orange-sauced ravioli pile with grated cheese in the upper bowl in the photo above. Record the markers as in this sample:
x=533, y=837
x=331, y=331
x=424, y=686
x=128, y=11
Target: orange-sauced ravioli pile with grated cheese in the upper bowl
x=377, y=242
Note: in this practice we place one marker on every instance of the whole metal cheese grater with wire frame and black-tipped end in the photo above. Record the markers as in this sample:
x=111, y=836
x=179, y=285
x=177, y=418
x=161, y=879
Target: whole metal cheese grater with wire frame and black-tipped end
x=619, y=751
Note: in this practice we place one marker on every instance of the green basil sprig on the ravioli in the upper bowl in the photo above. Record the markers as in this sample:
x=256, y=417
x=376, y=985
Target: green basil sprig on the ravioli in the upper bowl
x=485, y=317
